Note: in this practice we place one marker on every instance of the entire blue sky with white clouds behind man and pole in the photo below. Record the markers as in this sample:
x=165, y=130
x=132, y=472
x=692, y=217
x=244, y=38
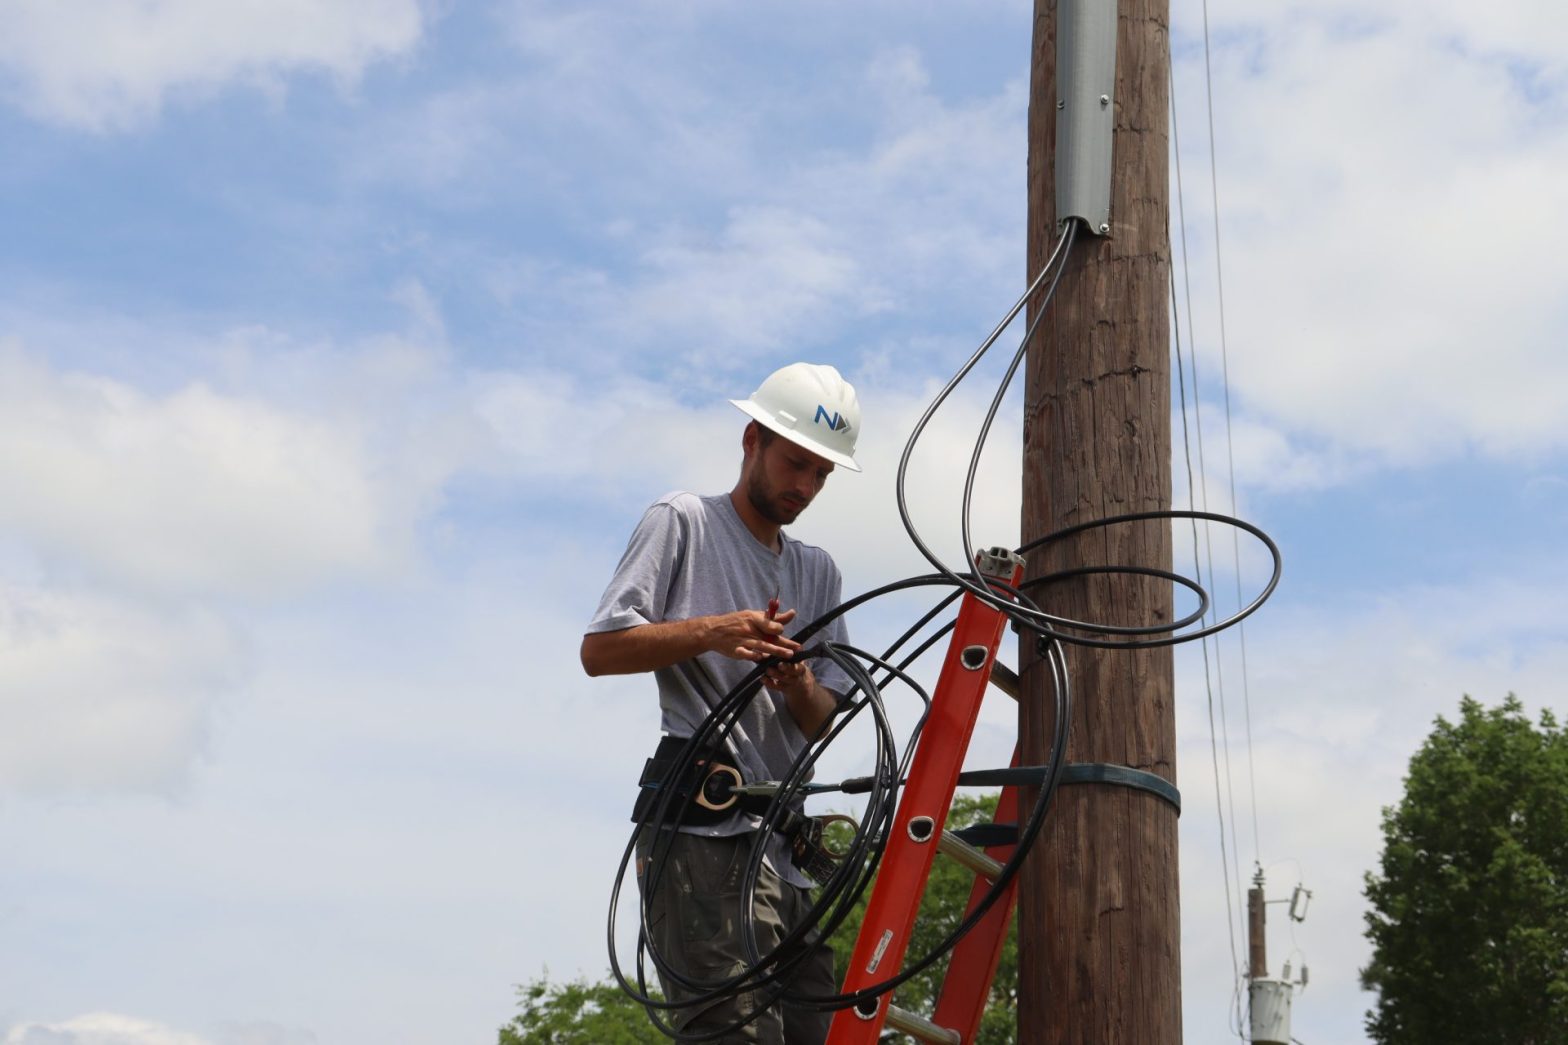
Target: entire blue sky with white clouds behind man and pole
x=341, y=346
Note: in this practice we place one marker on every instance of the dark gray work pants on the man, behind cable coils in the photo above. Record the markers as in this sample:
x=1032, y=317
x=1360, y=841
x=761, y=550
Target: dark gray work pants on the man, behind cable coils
x=695, y=923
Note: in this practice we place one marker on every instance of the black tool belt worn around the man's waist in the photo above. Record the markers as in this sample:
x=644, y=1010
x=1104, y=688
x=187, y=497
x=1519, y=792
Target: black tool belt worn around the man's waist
x=706, y=796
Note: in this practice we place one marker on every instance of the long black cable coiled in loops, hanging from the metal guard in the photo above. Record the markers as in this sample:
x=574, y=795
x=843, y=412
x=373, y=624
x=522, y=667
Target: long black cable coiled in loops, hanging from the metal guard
x=769, y=974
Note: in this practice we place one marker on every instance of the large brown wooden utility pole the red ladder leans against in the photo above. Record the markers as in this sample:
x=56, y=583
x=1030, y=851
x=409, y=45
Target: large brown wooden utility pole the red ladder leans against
x=1100, y=956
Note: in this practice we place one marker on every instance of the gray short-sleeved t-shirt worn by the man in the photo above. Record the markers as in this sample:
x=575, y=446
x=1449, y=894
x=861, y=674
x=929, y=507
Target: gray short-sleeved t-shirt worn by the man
x=692, y=558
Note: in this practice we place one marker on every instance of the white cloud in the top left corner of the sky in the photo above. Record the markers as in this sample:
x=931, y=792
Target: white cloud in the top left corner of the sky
x=107, y=65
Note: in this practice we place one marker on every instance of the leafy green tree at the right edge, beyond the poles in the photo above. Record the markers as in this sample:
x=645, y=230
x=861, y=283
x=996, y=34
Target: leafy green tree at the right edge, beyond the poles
x=1468, y=916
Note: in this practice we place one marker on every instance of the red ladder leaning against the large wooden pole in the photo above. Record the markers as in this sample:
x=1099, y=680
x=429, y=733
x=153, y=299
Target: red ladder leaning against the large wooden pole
x=916, y=836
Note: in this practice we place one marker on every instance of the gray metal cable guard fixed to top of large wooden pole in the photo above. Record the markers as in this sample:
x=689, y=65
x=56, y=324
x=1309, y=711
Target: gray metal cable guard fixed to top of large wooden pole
x=1086, y=111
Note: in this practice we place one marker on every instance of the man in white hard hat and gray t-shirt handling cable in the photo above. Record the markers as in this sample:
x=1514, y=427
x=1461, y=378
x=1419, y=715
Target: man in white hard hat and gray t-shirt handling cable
x=691, y=603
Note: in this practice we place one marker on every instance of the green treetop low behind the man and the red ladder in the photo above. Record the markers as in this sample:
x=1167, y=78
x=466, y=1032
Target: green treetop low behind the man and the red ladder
x=601, y=1014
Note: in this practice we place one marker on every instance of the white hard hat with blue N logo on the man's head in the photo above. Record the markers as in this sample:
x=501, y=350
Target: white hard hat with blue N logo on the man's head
x=811, y=406
